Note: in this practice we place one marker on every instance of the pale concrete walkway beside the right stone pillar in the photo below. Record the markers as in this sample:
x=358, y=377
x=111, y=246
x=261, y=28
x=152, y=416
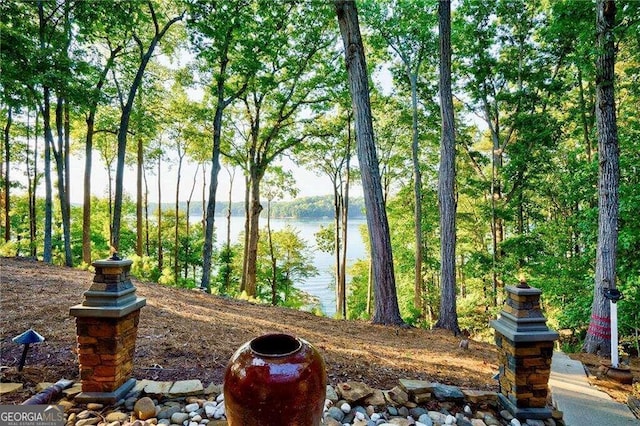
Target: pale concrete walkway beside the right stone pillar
x=582, y=404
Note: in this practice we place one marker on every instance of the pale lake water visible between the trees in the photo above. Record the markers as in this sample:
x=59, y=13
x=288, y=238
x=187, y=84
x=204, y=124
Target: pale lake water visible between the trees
x=322, y=285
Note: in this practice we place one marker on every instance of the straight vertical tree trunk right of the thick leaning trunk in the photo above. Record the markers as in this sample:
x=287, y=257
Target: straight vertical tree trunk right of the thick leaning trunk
x=448, y=318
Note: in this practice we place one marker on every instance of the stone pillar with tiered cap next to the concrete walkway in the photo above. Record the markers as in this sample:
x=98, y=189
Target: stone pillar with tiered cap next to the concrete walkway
x=525, y=348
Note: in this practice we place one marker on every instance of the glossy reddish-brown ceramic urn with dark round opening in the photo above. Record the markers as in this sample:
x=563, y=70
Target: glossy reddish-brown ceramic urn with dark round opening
x=275, y=379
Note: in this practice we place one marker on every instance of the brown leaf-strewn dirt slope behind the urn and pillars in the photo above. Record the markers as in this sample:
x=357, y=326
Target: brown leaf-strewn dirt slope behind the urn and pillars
x=185, y=334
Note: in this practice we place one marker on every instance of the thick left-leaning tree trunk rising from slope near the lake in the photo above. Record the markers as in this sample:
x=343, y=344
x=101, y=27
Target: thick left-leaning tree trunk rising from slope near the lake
x=386, y=299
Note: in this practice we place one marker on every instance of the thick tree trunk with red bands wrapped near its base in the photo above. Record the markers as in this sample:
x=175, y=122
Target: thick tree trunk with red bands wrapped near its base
x=599, y=333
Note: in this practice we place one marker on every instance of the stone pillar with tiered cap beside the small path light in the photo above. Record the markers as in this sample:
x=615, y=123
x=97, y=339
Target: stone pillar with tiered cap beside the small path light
x=106, y=328
